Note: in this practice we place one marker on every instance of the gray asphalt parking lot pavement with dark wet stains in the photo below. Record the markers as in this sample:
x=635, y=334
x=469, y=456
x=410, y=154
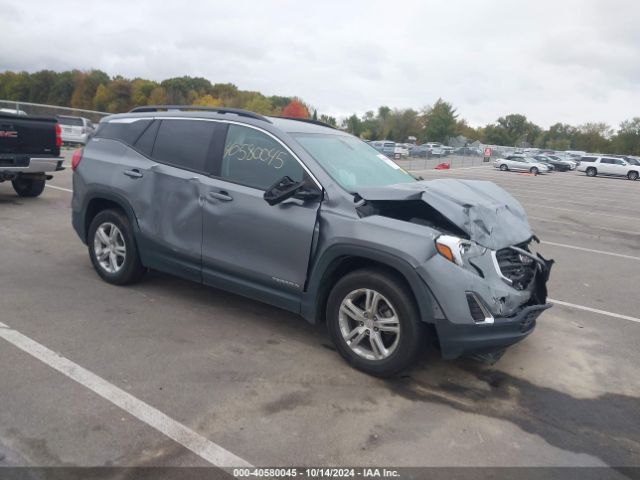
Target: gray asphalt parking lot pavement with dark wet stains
x=263, y=385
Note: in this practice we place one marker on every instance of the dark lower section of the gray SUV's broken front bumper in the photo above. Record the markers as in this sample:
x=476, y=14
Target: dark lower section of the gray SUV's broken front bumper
x=464, y=339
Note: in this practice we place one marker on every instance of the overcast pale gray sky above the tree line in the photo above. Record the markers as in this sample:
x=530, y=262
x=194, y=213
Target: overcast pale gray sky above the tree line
x=563, y=60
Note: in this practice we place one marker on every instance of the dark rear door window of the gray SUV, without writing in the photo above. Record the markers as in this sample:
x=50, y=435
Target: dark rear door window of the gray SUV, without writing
x=184, y=143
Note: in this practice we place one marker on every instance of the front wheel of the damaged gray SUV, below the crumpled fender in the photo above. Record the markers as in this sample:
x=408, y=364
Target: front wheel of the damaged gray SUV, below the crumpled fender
x=374, y=323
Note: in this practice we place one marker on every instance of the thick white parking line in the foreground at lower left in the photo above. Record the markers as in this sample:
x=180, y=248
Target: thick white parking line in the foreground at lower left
x=201, y=446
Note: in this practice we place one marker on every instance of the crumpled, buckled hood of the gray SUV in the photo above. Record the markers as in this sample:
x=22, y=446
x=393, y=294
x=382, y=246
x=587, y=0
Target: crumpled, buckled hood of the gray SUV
x=486, y=212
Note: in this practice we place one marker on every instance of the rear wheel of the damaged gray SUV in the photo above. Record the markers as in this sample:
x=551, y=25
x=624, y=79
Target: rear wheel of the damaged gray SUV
x=113, y=249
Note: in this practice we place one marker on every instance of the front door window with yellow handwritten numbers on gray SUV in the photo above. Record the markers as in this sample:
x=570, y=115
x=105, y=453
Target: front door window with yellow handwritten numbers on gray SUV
x=255, y=159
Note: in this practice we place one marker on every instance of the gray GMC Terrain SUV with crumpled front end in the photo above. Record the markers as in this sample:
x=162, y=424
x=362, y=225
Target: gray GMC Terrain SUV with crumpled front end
x=315, y=221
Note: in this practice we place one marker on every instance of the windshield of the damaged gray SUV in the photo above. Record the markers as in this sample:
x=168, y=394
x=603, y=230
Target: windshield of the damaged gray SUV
x=351, y=162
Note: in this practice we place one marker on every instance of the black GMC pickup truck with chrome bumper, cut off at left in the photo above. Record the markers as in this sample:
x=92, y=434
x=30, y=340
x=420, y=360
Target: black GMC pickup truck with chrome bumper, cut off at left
x=29, y=152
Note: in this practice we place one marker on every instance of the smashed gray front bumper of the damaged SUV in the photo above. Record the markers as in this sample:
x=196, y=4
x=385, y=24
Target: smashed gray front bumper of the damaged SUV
x=482, y=309
